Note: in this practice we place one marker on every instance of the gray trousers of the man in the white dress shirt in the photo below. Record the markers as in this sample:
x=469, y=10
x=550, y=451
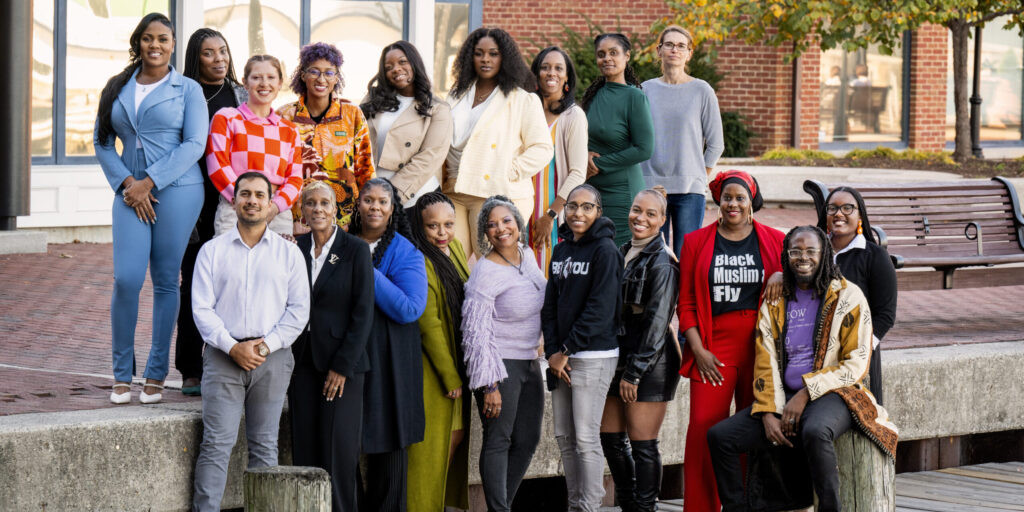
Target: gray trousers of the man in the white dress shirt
x=229, y=393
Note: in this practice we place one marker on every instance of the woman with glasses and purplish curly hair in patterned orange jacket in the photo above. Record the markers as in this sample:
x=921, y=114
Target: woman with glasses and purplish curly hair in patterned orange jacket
x=335, y=136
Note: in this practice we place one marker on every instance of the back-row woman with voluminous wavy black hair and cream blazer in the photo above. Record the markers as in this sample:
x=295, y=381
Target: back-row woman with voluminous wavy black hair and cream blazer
x=500, y=138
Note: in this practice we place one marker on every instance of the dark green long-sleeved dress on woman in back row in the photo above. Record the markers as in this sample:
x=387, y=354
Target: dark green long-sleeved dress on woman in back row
x=622, y=133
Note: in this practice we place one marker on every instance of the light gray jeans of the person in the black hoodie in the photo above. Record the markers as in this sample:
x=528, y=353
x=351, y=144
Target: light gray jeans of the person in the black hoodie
x=578, y=410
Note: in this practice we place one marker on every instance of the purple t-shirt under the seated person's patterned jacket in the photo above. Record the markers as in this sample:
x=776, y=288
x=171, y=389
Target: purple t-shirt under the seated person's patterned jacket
x=801, y=315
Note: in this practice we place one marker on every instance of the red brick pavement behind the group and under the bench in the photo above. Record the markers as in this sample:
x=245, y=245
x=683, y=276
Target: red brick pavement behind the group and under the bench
x=55, y=323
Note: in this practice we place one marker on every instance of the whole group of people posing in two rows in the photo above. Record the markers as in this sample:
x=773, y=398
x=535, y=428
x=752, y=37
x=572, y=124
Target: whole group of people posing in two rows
x=380, y=264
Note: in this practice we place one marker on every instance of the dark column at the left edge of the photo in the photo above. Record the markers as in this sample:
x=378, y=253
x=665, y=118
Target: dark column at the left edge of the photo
x=16, y=103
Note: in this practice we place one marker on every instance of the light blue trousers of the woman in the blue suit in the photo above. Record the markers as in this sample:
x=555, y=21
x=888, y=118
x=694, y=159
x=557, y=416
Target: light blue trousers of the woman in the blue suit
x=159, y=247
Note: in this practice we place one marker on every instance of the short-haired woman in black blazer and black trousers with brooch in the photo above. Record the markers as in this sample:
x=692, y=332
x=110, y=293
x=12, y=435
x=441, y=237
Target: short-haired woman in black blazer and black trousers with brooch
x=326, y=395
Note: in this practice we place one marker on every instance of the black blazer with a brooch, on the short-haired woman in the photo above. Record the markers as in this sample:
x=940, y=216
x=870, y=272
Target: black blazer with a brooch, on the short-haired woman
x=342, y=310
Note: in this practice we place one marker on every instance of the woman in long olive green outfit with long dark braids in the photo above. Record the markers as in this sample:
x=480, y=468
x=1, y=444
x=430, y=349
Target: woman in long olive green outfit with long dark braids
x=439, y=466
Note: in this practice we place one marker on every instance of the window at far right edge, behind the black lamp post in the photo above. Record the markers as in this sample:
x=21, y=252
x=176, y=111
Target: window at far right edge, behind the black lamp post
x=1002, y=75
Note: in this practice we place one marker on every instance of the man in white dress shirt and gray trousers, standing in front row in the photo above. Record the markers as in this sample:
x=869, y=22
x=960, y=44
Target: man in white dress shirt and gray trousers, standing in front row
x=250, y=302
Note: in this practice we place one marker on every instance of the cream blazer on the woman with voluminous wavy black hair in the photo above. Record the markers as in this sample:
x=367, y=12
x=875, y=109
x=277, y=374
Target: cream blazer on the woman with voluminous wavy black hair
x=509, y=145
